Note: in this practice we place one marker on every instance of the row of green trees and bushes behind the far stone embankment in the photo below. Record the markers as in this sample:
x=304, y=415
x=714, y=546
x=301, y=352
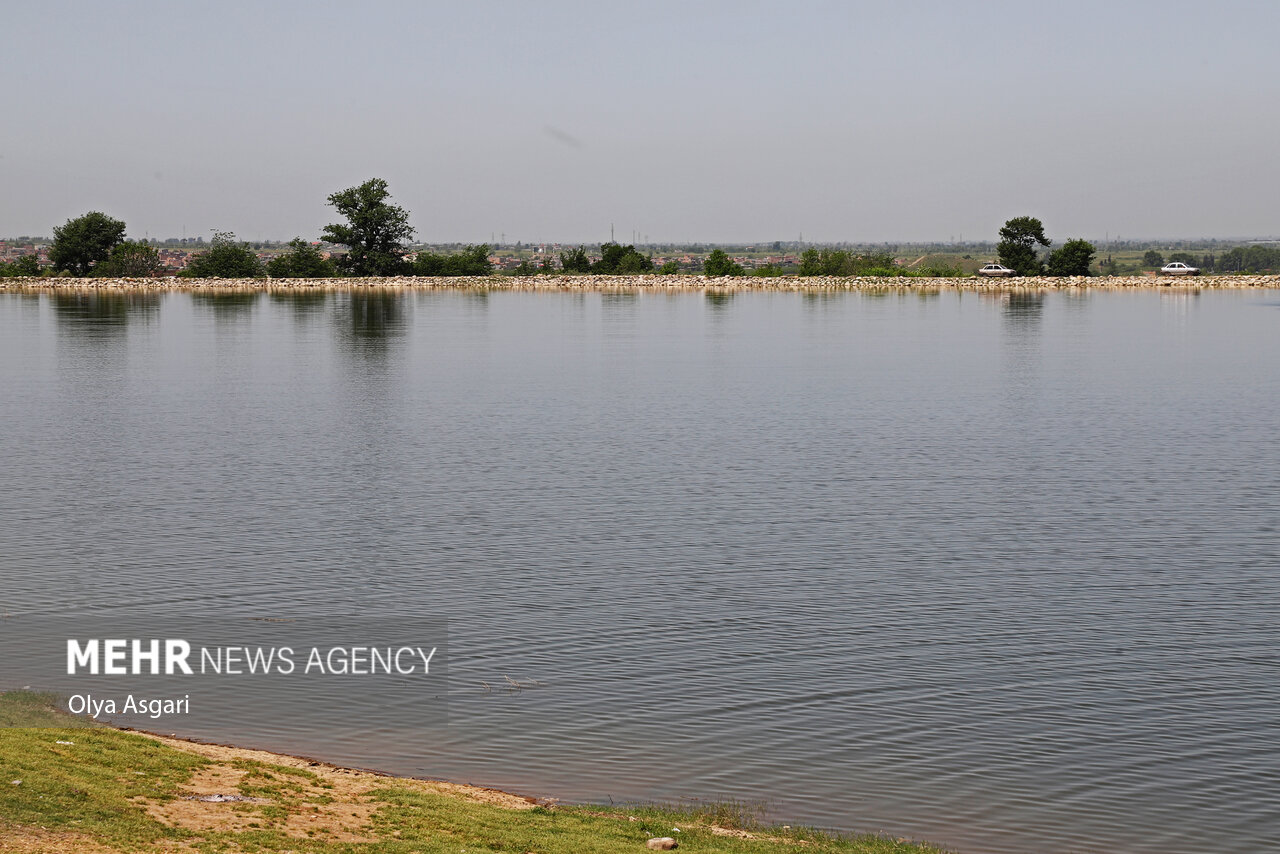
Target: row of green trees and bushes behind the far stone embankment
x=377, y=239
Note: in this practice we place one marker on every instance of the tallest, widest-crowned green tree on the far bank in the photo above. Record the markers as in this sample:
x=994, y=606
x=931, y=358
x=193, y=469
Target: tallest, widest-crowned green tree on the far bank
x=376, y=234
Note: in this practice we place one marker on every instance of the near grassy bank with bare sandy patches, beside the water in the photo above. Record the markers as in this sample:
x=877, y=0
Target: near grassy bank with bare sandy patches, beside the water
x=70, y=788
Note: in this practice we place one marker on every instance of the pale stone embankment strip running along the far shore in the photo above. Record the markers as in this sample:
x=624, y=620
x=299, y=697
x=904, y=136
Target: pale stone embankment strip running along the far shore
x=646, y=284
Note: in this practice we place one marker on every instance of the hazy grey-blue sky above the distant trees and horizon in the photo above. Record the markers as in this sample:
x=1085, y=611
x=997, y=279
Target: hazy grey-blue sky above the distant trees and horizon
x=683, y=121
